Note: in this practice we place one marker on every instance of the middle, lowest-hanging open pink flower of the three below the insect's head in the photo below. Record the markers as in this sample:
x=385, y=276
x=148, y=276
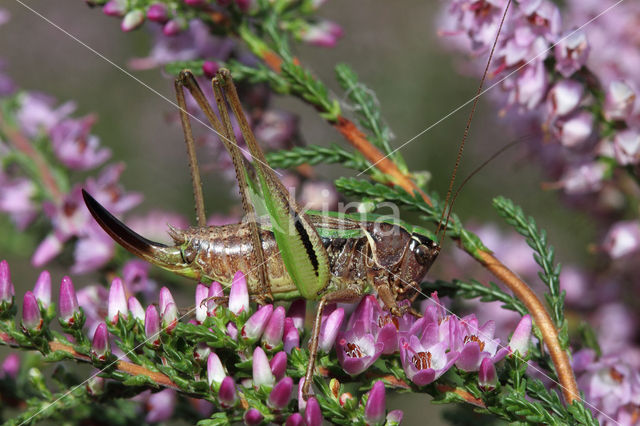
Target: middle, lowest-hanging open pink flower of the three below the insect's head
x=423, y=364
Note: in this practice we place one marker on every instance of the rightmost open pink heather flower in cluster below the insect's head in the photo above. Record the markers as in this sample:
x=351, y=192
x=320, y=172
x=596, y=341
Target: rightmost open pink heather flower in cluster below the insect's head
x=476, y=343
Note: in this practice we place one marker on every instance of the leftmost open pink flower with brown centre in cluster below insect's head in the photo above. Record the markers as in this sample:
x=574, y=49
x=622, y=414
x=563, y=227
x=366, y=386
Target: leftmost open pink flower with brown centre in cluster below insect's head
x=357, y=349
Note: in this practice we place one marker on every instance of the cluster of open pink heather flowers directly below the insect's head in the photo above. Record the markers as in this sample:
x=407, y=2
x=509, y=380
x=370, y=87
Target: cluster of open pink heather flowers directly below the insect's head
x=428, y=346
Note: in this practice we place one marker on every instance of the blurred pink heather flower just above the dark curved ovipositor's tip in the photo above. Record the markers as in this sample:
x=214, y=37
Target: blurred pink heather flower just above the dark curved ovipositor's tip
x=75, y=147
